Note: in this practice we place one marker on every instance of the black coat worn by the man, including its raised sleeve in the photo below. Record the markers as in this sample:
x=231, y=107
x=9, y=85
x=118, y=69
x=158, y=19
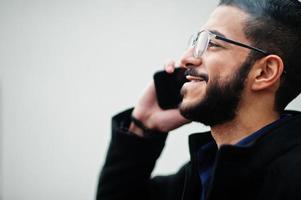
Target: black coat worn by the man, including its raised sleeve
x=268, y=169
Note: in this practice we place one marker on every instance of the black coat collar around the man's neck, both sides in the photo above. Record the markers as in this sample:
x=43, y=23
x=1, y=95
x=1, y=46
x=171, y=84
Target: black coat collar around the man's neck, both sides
x=281, y=137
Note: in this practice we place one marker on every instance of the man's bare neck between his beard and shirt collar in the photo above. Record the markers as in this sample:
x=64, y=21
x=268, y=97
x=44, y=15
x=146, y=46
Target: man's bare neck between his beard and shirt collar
x=243, y=125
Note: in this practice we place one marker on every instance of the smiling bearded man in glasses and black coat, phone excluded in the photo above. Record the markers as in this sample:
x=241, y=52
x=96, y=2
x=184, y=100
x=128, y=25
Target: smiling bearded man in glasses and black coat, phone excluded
x=243, y=68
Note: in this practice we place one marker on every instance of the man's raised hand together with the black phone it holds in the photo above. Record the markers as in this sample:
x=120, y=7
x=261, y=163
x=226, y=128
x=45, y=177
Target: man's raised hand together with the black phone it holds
x=157, y=107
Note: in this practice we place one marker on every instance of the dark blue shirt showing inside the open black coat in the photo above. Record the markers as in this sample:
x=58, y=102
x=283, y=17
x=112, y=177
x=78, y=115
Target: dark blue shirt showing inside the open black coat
x=206, y=154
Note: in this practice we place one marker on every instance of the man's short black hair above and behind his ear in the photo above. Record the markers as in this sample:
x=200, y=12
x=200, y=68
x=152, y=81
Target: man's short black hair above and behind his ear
x=275, y=26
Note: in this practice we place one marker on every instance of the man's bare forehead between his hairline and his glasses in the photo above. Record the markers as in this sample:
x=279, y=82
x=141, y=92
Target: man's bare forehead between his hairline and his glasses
x=228, y=21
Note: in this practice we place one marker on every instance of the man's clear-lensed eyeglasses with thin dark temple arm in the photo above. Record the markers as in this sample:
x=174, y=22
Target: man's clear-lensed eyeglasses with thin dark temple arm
x=201, y=40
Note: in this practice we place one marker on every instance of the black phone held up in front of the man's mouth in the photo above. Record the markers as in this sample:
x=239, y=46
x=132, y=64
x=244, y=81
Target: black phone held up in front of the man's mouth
x=168, y=87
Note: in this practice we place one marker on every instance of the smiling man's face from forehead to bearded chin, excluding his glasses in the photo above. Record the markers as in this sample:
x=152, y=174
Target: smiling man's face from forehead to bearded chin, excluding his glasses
x=215, y=97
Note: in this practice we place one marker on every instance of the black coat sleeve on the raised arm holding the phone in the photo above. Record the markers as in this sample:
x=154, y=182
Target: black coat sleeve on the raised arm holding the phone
x=126, y=174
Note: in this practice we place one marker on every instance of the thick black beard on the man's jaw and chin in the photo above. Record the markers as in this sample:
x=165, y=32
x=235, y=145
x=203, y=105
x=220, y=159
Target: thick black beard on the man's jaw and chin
x=221, y=100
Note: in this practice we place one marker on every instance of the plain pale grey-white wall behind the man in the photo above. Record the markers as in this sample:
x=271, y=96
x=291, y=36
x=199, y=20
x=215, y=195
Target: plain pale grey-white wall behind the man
x=66, y=67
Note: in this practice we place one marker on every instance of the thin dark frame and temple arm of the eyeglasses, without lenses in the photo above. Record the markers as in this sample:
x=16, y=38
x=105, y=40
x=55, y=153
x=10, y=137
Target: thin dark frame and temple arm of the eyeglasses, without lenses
x=218, y=37
